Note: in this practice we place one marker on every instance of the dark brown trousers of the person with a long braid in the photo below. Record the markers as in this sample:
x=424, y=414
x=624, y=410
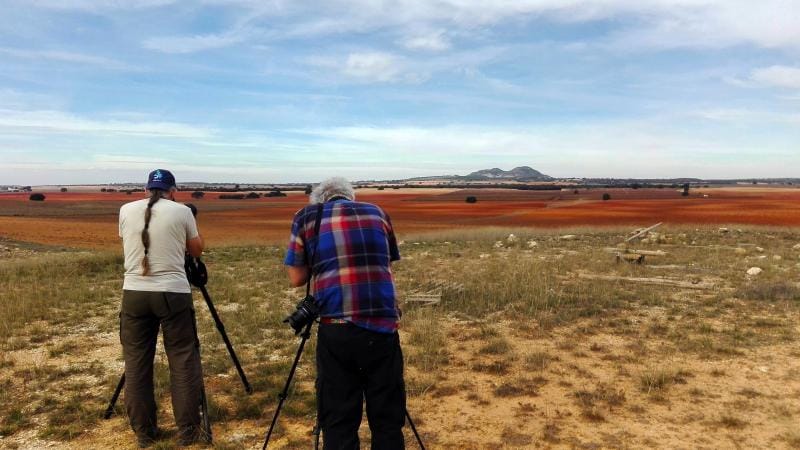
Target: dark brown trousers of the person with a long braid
x=142, y=314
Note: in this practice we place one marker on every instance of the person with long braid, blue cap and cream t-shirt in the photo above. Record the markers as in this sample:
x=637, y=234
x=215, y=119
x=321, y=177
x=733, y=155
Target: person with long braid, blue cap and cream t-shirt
x=156, y=233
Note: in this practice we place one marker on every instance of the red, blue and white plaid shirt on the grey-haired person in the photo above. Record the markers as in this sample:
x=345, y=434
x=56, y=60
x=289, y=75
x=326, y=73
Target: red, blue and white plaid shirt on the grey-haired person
x=352, y=278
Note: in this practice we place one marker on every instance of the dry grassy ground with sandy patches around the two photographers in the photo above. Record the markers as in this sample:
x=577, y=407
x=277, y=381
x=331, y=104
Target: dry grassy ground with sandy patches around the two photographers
x=514, y=324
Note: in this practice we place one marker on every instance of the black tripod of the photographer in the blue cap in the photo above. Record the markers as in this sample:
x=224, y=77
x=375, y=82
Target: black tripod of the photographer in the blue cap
x=198, y=276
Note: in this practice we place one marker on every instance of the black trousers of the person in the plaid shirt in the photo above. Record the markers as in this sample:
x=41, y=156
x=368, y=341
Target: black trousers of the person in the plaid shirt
x=354, y=364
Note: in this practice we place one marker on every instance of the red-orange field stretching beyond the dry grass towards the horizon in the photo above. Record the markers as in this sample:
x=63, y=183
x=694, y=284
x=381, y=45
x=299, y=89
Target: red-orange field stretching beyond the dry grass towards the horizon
x=89, y=220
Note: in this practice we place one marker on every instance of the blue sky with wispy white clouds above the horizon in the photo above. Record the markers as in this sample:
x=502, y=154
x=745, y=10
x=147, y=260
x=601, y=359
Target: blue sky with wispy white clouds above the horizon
x=260, y=91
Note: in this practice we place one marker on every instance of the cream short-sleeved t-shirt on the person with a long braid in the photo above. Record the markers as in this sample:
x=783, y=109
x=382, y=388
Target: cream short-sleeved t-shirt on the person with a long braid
x=171, y=225
